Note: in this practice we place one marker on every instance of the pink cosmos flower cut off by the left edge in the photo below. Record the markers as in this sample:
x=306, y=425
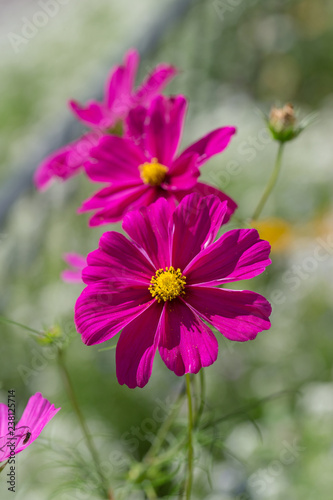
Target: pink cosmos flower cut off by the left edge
x=36, y=415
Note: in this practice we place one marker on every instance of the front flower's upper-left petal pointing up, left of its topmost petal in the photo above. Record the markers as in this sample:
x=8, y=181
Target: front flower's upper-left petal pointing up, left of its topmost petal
x=150, y=229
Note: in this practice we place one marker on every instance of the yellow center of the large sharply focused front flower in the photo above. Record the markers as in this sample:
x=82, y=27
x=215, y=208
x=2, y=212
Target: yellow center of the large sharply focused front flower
x=167, y=284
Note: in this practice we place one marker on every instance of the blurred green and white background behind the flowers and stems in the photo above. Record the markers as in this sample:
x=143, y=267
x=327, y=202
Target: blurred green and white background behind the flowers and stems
x=236, y=58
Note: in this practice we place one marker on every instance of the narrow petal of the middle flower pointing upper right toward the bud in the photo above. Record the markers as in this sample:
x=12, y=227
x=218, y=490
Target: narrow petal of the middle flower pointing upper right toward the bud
x=211, y=144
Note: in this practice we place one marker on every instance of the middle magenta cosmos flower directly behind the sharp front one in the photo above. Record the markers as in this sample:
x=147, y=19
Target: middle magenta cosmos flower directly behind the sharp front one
x=145, y=166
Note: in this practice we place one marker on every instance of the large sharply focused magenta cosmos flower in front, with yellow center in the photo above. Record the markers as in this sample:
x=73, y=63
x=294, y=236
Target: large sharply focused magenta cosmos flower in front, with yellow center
x=161, y=285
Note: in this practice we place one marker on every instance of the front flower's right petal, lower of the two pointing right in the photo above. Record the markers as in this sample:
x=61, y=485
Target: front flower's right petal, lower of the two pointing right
x=238, y=315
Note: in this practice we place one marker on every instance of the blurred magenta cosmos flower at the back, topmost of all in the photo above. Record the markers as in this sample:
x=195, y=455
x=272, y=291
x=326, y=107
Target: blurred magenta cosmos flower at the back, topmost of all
x=102, y=117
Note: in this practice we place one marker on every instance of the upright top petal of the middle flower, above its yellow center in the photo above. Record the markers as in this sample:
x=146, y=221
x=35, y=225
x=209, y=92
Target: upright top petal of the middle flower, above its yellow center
x=164, y=129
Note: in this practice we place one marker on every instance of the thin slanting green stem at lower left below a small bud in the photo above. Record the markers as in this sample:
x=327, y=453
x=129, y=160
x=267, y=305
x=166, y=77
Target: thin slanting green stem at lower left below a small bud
x=90, y=444
